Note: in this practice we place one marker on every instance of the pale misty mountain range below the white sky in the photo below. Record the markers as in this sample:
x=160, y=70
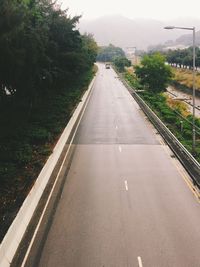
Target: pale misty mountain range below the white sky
x=125, y=32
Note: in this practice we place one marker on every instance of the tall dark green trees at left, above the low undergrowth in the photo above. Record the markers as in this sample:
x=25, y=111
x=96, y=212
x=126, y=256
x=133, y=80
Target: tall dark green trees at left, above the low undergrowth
x=40, y=50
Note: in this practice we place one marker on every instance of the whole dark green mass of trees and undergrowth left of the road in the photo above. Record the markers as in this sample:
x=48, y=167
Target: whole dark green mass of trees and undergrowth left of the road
x=45, y=67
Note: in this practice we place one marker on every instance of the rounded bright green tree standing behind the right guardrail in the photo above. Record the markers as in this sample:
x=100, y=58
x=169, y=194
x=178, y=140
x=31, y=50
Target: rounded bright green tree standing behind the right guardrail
x=154, y=73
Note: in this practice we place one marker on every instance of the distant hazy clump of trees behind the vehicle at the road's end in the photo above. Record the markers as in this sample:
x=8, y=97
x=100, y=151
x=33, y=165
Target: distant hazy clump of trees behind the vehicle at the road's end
x=109, y=53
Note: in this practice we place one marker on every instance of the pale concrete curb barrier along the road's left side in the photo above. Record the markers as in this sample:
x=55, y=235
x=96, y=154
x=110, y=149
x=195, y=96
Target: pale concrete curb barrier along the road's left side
x=16, y=231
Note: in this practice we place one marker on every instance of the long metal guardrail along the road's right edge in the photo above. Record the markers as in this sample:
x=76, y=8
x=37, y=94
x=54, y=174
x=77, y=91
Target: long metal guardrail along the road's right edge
x=184, y=156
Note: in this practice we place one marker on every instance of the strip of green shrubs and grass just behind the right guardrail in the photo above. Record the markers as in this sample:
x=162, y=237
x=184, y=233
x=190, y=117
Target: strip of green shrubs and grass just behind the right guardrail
x=173, y=113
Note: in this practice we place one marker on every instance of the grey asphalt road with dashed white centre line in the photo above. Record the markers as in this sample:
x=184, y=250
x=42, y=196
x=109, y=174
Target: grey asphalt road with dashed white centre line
x=125, y=202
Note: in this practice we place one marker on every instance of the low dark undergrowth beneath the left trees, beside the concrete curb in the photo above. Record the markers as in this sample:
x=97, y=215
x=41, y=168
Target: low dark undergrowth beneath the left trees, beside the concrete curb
x=26, y=141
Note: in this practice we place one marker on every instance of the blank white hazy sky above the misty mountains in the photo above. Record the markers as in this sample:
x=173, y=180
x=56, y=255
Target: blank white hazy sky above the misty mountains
x=155, y=9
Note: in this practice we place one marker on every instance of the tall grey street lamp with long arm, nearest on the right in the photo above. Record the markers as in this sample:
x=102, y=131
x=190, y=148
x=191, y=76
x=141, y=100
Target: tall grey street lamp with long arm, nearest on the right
x=193, y=87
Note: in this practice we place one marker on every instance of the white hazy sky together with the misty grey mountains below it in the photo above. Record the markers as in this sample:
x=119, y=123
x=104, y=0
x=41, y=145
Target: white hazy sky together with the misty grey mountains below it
x=138, y=23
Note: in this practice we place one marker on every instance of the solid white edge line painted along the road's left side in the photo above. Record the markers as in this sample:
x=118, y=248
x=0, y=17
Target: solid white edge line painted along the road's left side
x=55, y=182
